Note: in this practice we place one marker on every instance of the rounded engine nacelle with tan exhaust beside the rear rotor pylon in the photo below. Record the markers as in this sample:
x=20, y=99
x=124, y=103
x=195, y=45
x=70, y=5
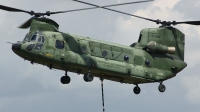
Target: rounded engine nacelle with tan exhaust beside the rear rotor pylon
x=159, y=48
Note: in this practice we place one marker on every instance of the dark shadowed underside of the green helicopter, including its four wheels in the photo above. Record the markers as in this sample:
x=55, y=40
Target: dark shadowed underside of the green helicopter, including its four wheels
x=112, y=76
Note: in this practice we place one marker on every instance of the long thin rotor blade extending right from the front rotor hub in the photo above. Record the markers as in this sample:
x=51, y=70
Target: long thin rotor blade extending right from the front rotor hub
x=100, y=7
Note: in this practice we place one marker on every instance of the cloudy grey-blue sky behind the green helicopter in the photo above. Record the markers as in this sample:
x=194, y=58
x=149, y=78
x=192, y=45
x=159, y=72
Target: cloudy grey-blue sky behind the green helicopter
x=34, y=88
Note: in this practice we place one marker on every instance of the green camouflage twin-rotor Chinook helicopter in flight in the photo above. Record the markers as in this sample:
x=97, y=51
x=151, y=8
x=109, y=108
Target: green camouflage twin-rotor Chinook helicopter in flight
x=157, y=56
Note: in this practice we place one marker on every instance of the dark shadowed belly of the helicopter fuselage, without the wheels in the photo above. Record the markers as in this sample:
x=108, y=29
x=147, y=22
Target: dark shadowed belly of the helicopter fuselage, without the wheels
x=75, y=68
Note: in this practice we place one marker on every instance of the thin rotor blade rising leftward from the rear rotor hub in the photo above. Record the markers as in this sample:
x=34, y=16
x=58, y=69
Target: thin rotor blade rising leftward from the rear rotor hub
x=157, y=21
